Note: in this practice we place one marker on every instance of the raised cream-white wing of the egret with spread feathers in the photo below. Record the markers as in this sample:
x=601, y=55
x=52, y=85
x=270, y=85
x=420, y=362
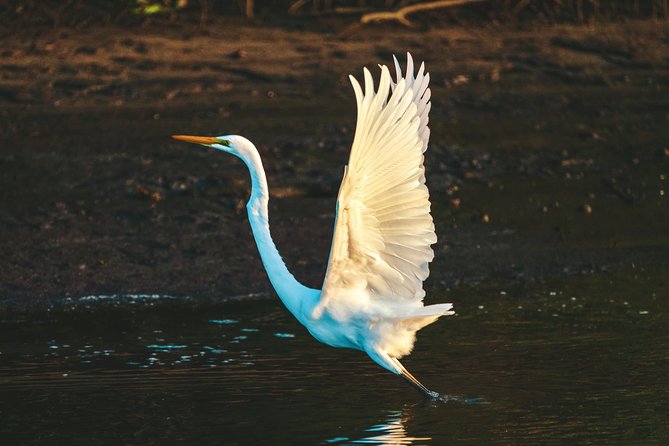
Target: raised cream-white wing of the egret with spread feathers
x=383, y=228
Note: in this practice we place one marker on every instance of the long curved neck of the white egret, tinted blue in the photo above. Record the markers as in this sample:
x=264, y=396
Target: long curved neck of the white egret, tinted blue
x=292, y=293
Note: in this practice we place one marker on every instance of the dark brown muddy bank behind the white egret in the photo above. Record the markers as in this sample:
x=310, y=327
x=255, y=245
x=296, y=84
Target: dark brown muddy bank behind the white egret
x=549, y=153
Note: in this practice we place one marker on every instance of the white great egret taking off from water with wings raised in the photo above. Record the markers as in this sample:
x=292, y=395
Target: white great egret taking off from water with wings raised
x=372, y=296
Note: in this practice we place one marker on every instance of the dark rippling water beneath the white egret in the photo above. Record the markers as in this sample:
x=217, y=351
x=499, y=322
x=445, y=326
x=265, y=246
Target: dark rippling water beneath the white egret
x=576, y=360
